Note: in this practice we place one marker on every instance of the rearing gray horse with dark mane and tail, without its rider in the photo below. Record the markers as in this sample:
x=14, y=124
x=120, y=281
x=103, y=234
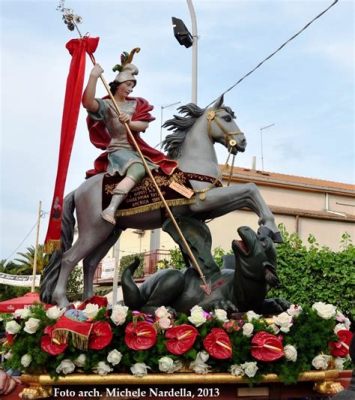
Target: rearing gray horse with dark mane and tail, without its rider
x=191, y=143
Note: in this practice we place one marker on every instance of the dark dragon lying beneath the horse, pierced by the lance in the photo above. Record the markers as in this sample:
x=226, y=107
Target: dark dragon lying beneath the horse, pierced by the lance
x=239, y=288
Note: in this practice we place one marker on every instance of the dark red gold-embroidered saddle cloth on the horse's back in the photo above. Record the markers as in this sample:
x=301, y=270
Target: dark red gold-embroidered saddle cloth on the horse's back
x=144, y=196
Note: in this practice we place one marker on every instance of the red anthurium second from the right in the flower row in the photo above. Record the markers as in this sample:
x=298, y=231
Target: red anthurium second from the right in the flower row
x=266, y=347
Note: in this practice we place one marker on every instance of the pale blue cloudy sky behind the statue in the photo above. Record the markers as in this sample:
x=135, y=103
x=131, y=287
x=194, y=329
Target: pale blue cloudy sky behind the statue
x=306, y=90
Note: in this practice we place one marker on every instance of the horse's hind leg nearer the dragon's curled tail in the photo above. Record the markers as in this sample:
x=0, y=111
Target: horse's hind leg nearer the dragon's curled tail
x=91, y=262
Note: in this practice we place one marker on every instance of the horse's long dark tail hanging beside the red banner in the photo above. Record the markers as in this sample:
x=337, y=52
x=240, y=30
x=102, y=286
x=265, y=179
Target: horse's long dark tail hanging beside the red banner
x=51, y=272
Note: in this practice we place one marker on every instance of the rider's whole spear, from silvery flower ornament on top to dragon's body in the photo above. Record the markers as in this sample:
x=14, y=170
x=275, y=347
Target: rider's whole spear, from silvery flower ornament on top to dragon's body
x=72, y=20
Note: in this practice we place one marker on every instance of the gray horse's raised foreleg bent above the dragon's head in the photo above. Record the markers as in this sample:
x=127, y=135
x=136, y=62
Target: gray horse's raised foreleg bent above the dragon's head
x=220, y=201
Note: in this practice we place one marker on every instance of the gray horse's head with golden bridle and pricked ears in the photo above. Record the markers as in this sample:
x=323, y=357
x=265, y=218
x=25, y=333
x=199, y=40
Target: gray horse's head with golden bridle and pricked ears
x=222, y=128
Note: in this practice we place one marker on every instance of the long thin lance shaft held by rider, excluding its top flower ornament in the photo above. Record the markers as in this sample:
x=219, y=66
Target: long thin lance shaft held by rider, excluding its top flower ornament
x=205, y=286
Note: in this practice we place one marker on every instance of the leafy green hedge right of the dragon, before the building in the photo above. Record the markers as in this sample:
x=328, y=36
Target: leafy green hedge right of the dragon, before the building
x=314, y=273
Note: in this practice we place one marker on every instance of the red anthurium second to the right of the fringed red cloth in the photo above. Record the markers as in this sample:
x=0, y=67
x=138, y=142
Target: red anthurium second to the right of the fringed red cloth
x=140, y=335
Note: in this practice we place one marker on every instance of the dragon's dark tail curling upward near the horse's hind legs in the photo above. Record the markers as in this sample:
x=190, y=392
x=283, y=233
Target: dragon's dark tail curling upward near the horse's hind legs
x=131, y=294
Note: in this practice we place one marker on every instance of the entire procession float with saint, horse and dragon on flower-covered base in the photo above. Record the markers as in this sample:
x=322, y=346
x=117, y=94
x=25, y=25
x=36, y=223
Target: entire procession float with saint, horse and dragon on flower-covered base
x=202, y=326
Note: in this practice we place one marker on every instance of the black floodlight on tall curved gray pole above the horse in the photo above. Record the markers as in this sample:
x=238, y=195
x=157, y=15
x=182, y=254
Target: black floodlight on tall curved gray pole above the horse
x=187, y=39
